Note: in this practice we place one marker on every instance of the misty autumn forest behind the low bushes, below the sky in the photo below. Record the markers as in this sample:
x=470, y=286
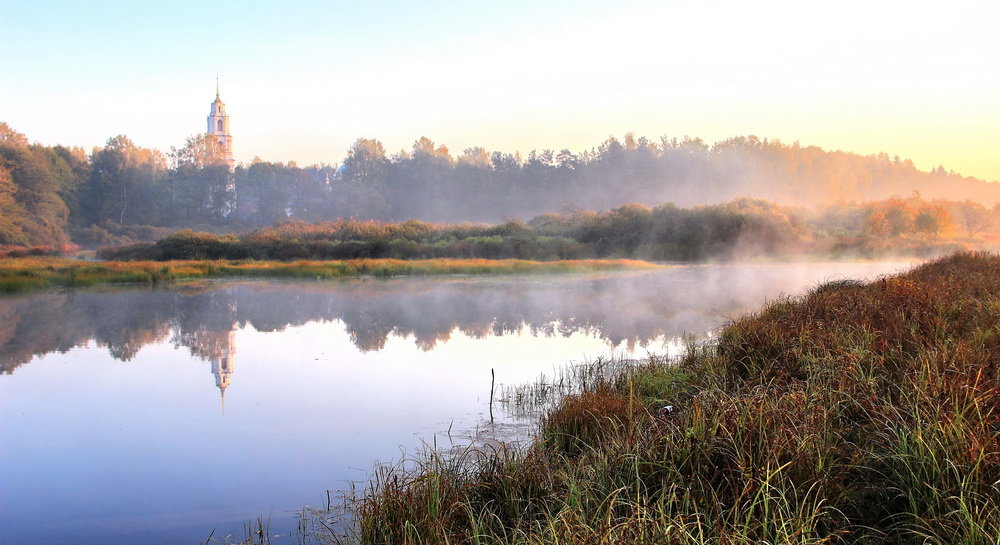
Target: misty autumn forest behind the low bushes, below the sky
x=121, y=192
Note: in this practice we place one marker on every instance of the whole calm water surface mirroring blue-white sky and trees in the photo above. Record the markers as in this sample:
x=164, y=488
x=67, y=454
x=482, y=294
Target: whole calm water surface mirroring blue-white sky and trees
x=326, y=378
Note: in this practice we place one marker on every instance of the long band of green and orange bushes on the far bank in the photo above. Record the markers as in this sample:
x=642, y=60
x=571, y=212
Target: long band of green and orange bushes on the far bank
x=741, y=229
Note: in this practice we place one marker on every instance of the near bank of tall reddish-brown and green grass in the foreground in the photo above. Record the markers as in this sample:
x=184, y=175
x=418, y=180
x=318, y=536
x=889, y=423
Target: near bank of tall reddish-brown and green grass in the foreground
x=858, y=413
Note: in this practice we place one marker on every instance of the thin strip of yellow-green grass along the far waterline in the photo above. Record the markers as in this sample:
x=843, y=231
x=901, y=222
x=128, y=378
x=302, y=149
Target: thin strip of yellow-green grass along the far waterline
x=23, y=274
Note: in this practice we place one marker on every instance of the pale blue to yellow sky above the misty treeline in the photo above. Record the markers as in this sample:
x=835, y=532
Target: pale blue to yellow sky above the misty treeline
x=302, y=80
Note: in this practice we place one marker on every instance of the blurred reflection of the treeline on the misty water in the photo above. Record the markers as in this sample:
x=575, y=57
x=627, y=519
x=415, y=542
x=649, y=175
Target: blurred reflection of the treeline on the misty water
x=631, y=308
